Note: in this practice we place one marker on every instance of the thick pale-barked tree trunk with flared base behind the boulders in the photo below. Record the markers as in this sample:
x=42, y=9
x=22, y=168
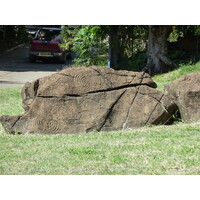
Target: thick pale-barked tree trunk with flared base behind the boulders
x=157, y=61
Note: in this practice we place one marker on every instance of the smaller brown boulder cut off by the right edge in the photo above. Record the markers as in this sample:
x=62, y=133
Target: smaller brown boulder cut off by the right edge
x=185, y=92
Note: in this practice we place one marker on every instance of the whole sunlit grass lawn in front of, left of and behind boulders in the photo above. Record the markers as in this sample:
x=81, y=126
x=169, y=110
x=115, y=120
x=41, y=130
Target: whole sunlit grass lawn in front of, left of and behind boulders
x=150, y=150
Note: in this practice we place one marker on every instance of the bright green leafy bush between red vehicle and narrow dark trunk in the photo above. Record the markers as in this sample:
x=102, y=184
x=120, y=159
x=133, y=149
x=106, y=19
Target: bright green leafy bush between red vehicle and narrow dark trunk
x=89, y=43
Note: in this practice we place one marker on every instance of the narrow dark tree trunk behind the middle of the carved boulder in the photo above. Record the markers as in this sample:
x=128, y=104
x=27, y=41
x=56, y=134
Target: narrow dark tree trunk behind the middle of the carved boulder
x=114, y=47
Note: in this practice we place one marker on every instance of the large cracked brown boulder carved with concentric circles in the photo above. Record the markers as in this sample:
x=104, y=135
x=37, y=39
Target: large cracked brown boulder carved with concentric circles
x=77, y=100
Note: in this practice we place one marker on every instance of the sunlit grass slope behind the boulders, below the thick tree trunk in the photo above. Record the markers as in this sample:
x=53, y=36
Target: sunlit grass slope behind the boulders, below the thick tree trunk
x=166, y=78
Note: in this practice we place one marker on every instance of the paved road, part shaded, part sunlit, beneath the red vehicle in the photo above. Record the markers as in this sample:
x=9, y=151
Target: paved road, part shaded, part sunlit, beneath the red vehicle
x=16, y=70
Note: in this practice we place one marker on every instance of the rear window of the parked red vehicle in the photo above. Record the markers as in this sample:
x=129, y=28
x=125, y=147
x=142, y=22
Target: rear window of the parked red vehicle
x=49, y=35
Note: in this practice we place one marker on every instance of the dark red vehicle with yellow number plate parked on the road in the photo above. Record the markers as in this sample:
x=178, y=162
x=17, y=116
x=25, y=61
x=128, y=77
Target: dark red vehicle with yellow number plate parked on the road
x=45, y=45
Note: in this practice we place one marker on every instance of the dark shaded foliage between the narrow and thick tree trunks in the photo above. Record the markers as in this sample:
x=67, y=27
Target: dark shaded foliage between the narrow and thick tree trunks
x=132, y=46
